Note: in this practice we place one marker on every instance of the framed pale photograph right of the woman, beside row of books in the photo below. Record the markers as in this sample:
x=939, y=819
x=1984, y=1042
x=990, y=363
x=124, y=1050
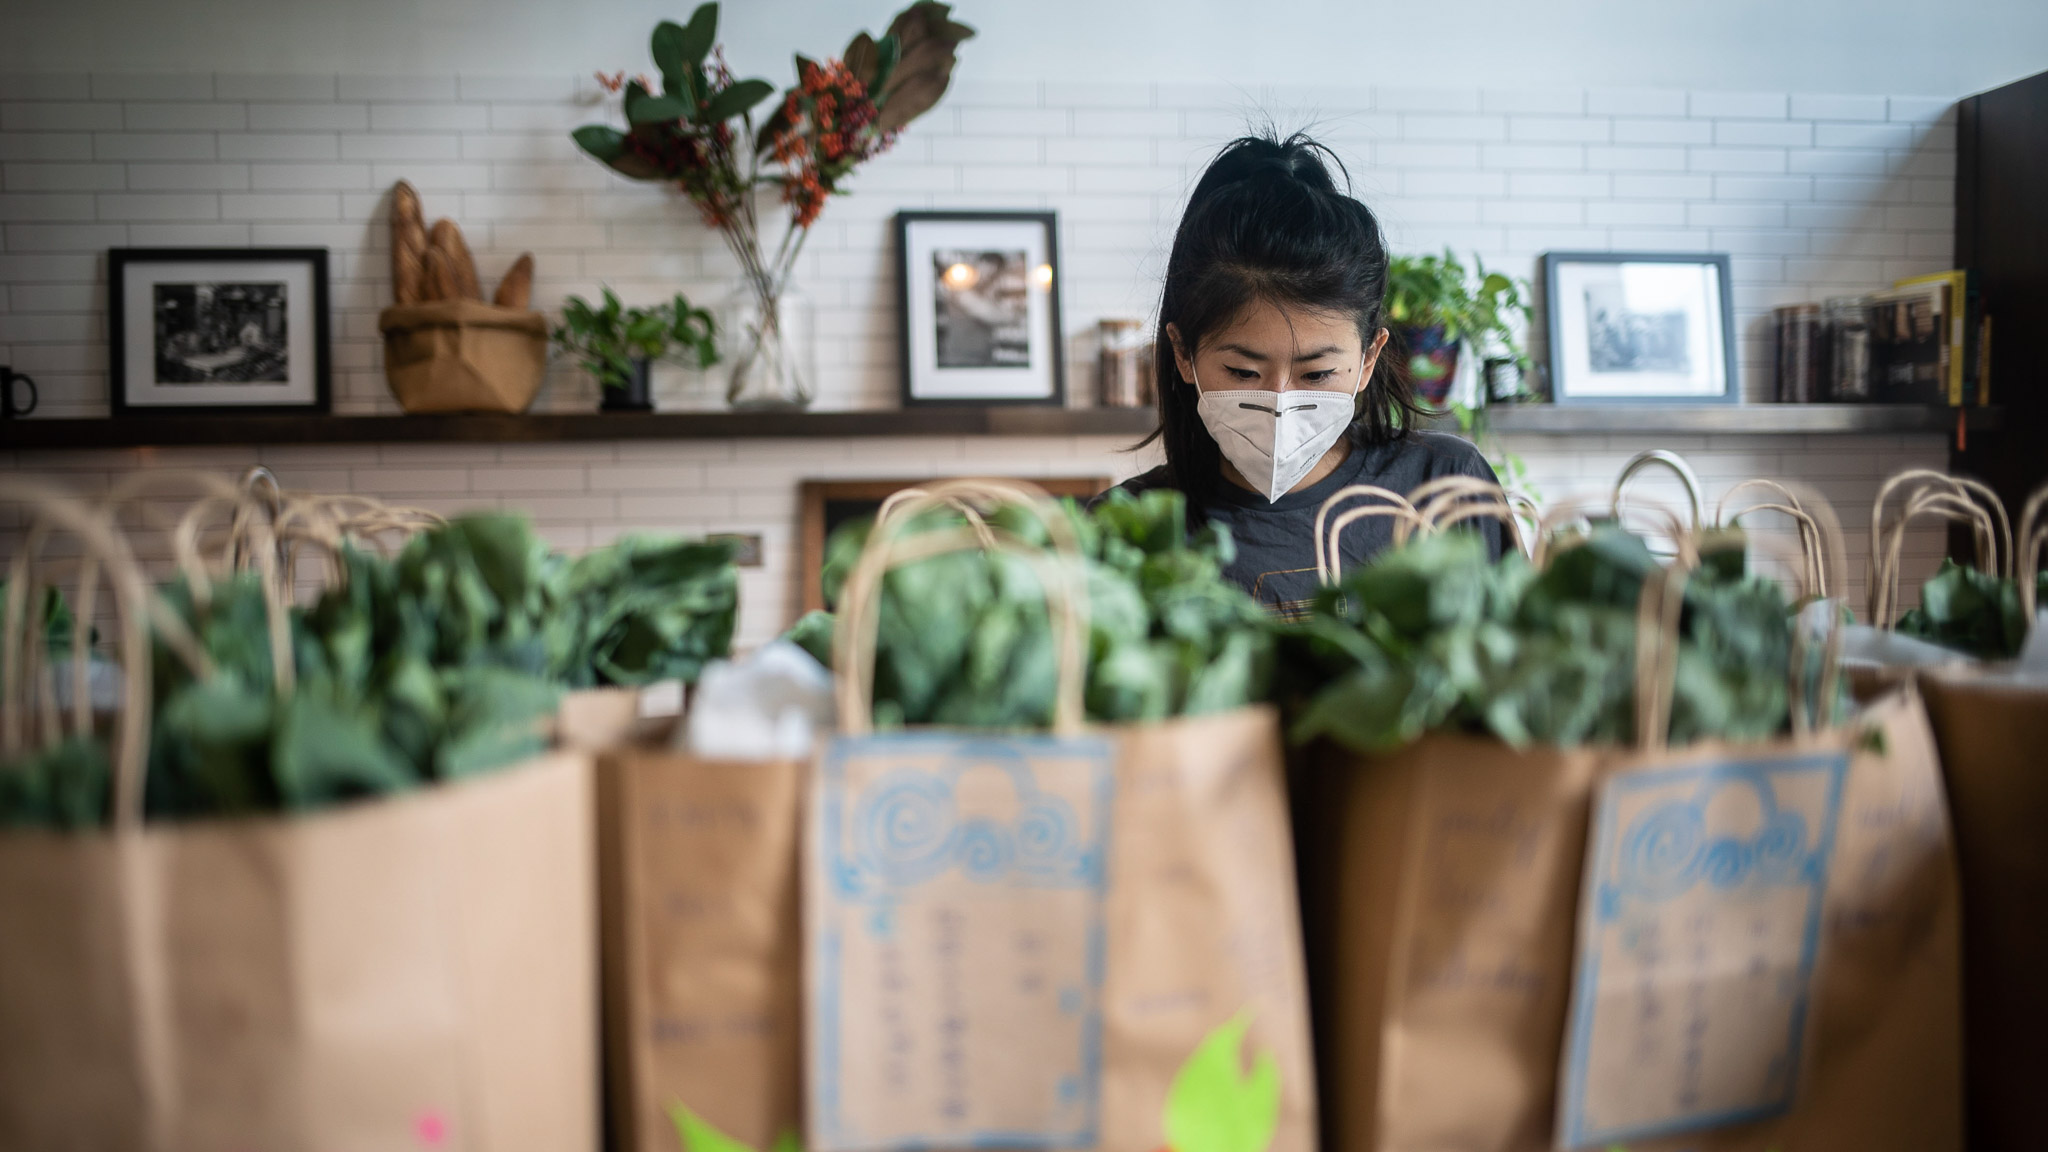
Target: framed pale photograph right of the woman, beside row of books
x=1641, y=329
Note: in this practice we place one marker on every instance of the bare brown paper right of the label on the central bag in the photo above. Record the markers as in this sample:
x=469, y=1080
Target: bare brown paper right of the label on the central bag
x=1203, y=919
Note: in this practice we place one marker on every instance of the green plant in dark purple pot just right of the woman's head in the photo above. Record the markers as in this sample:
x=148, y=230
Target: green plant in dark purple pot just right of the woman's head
x=1437, y=308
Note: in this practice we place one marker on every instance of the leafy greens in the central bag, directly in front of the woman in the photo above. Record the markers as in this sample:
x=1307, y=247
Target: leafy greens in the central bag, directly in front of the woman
x=964, y=639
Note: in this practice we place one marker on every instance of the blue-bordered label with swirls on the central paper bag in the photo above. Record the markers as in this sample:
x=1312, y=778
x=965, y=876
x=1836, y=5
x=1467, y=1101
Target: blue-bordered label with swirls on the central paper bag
x=957, y=942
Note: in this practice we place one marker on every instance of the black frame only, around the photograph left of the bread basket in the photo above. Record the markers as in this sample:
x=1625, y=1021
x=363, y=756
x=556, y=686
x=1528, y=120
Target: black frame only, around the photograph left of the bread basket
x=122, y=265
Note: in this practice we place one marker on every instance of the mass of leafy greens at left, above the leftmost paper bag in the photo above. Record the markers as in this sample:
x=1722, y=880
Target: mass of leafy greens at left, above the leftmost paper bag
x=435, y=665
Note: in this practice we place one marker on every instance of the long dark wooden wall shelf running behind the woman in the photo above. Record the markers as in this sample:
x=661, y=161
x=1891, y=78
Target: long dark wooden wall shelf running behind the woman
x=951, y=421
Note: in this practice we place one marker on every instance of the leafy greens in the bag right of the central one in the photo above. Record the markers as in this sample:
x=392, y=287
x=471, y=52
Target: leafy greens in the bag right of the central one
x=1437, y=636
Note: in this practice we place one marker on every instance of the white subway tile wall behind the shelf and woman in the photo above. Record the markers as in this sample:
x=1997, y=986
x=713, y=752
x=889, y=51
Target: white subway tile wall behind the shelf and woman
x=1811, y=194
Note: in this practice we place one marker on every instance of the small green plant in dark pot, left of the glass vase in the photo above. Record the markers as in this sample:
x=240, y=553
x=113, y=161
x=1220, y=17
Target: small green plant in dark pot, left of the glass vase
x=620, y=345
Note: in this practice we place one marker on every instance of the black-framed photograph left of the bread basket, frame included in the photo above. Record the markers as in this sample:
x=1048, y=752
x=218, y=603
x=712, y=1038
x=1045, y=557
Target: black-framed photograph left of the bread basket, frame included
x=218, y=329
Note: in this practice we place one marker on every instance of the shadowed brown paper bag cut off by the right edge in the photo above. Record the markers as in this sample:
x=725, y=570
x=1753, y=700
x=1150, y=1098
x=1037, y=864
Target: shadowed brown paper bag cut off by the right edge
x=1994, y=737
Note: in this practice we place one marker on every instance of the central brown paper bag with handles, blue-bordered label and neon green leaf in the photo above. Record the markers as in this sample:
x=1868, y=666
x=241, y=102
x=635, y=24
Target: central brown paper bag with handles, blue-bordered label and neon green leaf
x=931, y=952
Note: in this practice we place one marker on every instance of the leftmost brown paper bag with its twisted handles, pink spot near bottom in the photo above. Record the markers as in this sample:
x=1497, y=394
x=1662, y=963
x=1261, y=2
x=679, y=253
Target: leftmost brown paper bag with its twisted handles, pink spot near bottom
x=388, y=975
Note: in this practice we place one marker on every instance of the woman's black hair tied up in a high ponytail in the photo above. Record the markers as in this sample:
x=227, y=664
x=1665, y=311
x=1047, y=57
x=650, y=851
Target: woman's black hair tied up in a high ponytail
x=1267, y=222
